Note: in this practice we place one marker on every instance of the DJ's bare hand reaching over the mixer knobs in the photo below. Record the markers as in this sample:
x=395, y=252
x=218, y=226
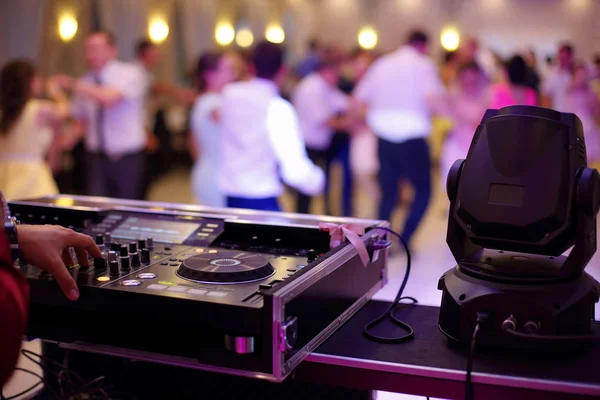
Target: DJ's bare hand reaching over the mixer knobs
x=47, y=247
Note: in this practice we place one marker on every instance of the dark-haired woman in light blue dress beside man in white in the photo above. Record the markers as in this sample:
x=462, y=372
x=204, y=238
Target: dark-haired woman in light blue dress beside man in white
x=213, y=72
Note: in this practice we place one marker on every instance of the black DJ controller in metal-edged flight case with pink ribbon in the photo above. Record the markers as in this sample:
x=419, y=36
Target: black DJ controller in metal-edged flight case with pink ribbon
x=233, y=291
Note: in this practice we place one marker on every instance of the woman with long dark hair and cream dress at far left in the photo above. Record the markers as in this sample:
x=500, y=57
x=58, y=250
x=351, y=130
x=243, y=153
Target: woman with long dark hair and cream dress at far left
x=28, y=131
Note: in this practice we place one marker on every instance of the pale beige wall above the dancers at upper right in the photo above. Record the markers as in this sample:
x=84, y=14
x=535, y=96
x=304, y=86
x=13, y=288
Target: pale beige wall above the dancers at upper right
x=504, y=25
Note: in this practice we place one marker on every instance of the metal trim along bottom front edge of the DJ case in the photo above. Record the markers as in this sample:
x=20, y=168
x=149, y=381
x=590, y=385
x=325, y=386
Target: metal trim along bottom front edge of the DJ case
x=176, y=361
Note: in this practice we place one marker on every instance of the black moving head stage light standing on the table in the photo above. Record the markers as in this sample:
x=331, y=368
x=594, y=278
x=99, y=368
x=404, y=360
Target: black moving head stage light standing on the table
x=522, y=198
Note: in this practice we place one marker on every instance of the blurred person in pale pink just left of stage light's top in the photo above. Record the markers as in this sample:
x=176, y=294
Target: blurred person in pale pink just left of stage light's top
x=467, y=102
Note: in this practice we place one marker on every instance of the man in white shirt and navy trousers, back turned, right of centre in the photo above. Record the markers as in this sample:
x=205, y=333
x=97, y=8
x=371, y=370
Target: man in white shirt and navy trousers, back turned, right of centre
x=398, y=90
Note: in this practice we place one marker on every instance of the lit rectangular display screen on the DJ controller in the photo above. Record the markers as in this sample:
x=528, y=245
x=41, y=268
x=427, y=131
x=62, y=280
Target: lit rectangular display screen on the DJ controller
x=161, y=231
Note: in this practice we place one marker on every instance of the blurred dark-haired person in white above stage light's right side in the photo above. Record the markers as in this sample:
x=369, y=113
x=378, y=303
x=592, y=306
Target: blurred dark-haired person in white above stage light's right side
x=556, y=84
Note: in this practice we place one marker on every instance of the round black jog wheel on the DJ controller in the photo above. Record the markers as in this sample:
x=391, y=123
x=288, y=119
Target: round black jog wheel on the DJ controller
x=226, y=267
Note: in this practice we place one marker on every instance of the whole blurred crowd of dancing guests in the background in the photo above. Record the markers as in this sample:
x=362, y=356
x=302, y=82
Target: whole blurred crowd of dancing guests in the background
x=257, y=126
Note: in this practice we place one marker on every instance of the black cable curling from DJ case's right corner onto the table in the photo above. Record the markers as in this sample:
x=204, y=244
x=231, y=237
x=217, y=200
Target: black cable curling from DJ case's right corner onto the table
x=390, y=311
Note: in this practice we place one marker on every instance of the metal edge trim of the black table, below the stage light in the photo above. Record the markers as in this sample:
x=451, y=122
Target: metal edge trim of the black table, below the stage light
x=455, y=375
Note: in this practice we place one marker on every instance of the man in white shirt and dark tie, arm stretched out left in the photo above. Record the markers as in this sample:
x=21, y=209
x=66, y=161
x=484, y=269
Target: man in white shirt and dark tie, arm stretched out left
x=109, y=101
